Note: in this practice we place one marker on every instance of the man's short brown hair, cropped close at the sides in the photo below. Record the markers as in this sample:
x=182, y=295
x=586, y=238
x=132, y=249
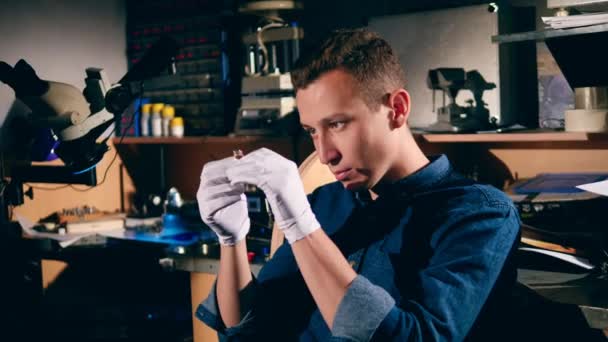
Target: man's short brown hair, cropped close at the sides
x=363, y=54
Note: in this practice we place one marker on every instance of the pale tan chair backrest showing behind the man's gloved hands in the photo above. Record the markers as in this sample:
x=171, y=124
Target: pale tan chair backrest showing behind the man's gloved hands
x=313, y=174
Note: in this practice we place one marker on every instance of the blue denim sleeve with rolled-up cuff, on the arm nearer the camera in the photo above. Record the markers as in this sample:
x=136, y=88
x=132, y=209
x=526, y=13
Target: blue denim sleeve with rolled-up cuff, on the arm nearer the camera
x=470, y=250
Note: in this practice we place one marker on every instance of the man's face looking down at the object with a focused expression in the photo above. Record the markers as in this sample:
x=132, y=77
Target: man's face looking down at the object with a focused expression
x=354, y=141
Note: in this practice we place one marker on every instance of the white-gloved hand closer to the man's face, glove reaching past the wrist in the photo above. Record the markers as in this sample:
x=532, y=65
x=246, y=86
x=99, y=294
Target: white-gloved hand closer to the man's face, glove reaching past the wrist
x=278, y=177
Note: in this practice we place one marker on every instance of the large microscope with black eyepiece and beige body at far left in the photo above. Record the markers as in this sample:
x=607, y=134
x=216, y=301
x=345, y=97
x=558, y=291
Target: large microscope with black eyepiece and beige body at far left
x=75, y=119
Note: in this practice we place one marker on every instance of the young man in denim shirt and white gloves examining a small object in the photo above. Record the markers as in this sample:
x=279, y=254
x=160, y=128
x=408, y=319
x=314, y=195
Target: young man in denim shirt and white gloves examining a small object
x=399, y=248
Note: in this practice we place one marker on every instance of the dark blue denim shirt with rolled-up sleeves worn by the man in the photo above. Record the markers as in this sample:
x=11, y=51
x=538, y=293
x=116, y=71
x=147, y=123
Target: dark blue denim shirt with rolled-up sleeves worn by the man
x=434, y=254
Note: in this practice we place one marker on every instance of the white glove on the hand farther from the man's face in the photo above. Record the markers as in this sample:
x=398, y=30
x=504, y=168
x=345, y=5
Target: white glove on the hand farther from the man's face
x=223, y=207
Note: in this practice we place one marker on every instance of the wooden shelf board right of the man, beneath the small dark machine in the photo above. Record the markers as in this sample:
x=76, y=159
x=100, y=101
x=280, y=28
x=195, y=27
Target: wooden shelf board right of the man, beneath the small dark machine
x=514, y=137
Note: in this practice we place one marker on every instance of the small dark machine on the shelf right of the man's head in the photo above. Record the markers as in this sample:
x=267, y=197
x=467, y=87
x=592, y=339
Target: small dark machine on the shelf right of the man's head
x=453, y=118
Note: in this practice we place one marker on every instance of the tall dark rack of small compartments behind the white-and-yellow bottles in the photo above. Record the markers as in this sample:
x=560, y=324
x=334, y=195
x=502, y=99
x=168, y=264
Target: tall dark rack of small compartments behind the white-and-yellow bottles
x=198, y=91
